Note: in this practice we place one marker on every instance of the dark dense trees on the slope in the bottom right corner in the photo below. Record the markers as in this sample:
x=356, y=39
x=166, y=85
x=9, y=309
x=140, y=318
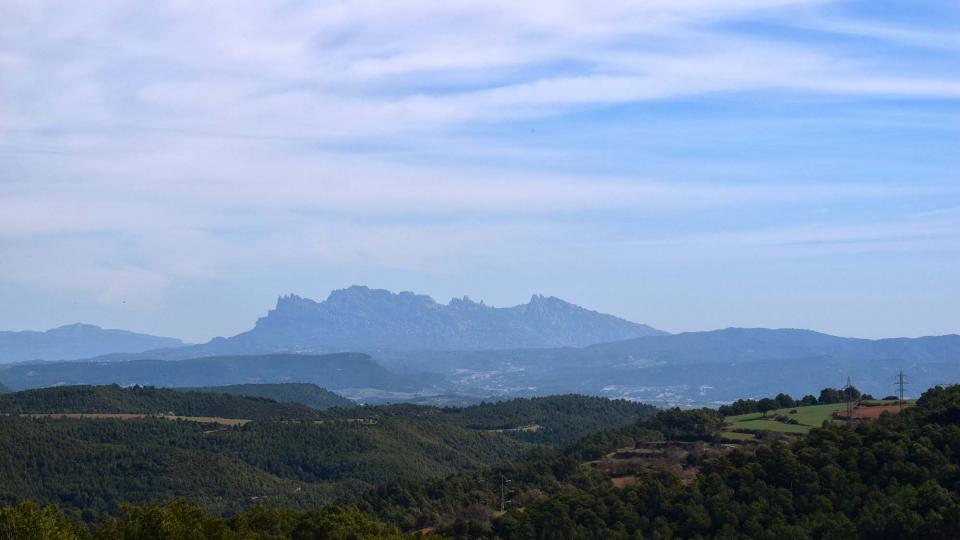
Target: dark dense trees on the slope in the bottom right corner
x=898, y=477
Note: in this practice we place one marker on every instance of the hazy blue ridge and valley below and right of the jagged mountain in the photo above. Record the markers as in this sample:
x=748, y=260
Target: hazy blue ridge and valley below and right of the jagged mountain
x=697, y=367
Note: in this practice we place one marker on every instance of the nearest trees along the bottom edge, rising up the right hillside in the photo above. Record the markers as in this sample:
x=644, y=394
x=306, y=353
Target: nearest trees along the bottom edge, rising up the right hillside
x=898, y=477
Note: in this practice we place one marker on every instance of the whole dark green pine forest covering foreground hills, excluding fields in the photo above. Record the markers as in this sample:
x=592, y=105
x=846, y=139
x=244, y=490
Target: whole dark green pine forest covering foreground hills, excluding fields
x=670, y=477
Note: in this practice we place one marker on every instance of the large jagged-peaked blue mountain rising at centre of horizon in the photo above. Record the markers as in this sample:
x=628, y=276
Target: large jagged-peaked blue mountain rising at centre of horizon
x=368, y=320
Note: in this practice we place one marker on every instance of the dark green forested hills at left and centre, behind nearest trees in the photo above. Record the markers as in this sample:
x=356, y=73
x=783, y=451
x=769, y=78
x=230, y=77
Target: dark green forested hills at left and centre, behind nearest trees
x=279, y=459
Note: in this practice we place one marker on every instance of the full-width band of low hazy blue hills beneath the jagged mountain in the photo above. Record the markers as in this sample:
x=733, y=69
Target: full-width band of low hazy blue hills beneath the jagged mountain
x=689, y=369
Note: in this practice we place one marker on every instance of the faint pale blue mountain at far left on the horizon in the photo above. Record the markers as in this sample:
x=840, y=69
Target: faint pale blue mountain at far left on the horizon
x=76, y=341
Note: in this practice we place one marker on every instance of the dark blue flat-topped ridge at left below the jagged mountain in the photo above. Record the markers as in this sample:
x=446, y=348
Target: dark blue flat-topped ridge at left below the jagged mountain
x=329, y=371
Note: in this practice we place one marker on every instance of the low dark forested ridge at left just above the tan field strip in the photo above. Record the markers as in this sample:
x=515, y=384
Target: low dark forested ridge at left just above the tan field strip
x=148, y=400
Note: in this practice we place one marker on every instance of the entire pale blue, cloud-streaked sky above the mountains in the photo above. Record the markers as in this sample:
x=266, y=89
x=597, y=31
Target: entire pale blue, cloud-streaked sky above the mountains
x=173, y=167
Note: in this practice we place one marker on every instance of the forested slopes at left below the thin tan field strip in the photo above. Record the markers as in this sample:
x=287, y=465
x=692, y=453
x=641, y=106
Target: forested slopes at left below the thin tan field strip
x=94, y=465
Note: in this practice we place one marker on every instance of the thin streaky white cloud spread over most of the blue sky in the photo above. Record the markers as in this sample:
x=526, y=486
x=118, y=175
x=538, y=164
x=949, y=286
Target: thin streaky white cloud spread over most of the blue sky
x=147, y=144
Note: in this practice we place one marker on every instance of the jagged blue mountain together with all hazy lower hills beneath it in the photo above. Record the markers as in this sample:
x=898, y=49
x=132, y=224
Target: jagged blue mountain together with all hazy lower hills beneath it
x=408, y=347
